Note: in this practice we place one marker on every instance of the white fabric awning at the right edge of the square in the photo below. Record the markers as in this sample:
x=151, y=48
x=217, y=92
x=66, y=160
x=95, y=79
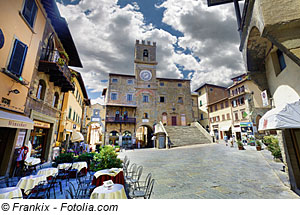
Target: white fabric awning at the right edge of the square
x=286, y=116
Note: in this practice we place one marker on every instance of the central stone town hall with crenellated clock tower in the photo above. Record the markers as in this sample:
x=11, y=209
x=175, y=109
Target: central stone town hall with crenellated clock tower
x=135, y=103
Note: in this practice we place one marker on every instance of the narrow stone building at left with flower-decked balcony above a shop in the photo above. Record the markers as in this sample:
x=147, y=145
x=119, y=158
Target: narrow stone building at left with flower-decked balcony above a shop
x=51, y=79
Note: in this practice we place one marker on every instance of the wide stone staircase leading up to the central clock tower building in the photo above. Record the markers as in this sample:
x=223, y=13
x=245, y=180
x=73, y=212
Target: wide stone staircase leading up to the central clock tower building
x=185, y=135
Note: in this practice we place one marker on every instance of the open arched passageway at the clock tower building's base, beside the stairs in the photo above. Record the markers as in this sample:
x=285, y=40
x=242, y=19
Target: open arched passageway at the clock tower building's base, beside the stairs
x=144, y=136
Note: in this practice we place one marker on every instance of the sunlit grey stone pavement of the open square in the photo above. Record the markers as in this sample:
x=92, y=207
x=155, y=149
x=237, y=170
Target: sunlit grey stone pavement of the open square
x=212, y=171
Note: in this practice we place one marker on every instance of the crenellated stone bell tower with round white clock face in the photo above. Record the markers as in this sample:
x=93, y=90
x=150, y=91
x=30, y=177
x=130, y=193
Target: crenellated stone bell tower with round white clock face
x=145, y=63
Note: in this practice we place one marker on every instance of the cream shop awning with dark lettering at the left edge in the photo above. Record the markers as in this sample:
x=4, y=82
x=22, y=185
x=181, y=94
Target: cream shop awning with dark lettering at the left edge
x=12, y=120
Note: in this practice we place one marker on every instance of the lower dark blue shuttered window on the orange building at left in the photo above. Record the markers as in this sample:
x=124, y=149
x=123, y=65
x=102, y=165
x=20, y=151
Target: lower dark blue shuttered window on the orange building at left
x=17, y=58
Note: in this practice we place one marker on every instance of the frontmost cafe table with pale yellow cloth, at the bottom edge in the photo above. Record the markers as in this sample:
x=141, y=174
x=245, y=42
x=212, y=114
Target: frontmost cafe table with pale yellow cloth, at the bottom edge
x=115, y=192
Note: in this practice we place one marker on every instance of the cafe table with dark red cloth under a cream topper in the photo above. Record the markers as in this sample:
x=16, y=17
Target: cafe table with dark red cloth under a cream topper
x=114, y=174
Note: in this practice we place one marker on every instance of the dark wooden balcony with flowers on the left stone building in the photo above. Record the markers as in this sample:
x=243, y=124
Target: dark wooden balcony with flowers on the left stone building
x=60, y=74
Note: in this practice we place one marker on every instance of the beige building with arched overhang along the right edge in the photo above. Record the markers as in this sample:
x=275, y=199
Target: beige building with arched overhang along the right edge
x=271, y=50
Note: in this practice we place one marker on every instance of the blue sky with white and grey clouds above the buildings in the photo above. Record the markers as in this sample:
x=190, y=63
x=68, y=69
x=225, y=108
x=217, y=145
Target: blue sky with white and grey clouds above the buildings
x=193, y=41
